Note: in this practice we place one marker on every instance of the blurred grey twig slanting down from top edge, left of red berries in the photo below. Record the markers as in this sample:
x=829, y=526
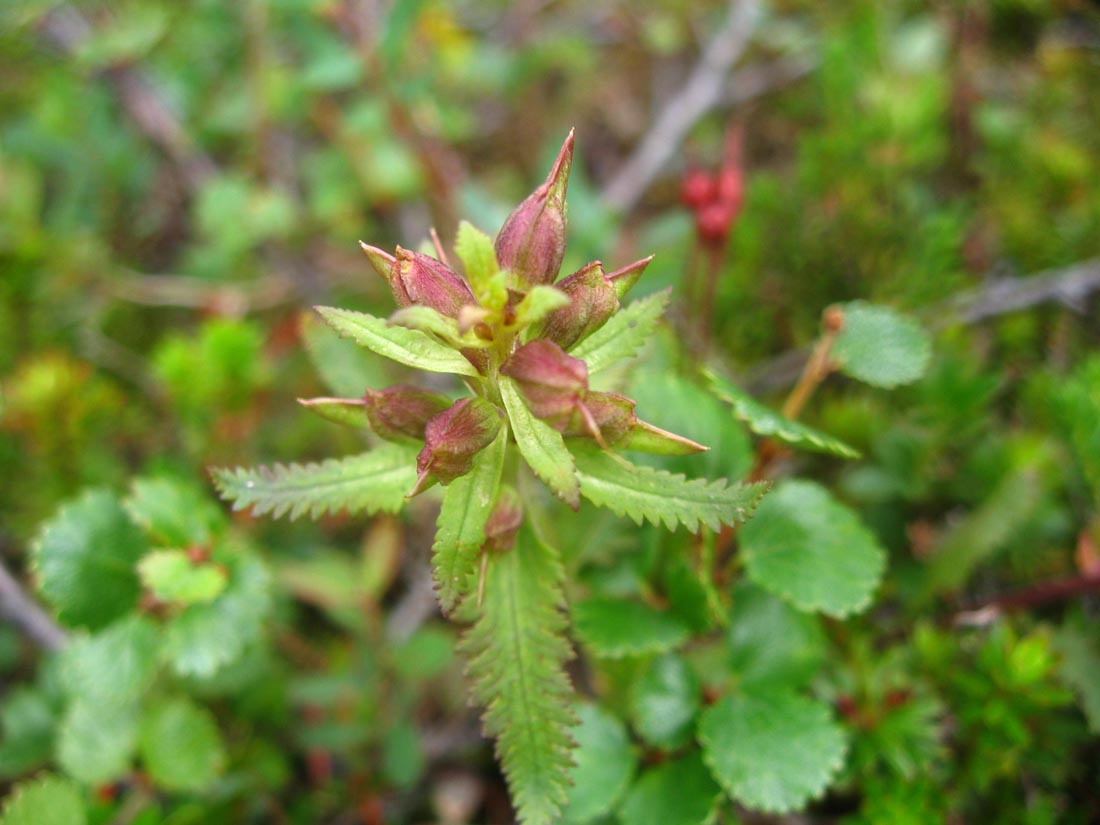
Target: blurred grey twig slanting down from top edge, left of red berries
x=701, y=93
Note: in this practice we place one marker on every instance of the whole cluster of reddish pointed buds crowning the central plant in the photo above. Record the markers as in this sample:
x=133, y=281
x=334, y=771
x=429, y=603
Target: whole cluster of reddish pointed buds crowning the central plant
x=510, y=318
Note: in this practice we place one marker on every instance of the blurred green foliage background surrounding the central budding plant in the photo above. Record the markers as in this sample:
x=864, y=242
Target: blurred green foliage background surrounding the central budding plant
x=156, y=271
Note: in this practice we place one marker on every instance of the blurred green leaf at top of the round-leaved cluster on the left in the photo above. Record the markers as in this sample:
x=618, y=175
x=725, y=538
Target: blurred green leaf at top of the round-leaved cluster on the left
x=173, y=513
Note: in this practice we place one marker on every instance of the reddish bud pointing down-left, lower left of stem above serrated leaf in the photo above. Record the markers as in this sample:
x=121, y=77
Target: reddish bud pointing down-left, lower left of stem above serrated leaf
x=453, y=438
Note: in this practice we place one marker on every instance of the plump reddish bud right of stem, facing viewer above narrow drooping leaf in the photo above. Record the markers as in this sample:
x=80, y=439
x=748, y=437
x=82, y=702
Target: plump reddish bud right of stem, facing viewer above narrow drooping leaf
x=553, y=383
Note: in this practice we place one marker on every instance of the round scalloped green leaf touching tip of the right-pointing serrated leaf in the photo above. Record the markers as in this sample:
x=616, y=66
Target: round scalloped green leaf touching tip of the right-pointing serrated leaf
x=812, y=551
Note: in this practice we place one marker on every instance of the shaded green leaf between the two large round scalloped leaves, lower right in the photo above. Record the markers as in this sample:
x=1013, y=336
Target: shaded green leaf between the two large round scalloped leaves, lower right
x=772, y=644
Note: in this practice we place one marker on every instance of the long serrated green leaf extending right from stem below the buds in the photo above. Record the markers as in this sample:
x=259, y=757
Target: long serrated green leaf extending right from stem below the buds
x=642, y=493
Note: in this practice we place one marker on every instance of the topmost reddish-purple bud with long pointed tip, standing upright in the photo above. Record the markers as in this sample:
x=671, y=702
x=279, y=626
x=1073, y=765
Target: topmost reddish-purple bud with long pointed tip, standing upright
x=532, y=243
